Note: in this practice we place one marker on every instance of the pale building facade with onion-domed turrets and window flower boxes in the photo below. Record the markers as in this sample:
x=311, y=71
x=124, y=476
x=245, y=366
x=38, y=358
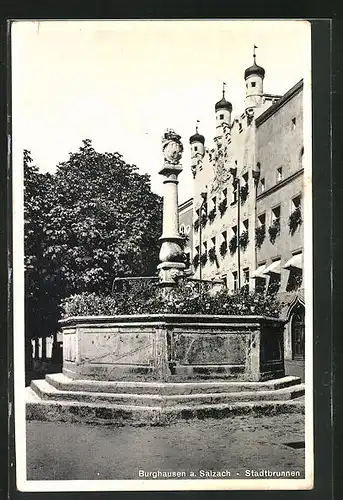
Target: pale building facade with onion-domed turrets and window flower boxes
x=246, y=210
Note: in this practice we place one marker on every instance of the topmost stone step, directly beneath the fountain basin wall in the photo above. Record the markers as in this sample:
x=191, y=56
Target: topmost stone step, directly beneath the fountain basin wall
x=64, y=383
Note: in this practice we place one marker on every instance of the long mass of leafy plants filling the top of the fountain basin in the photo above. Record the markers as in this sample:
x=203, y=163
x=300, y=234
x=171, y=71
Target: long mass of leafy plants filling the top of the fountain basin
x=186, y=298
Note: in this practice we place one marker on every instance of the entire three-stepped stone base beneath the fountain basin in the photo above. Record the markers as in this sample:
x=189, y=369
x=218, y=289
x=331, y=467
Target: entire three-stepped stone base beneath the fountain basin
x=58, y=398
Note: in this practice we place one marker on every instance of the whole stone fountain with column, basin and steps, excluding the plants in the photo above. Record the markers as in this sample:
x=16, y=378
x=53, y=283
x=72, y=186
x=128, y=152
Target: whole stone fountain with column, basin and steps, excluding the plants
x=158, y=368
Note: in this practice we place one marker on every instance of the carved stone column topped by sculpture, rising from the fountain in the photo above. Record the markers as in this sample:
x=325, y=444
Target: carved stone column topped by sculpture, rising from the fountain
x=171, y=254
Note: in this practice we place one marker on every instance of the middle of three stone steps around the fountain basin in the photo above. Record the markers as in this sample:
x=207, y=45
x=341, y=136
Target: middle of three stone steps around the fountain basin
x=46, y=391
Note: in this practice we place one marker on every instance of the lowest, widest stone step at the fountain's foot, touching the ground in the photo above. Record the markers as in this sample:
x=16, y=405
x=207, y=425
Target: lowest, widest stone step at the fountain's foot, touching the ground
x=105, y=413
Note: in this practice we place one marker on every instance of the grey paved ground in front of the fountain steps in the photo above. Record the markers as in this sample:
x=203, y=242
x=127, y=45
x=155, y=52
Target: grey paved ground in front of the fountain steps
x=63, y=451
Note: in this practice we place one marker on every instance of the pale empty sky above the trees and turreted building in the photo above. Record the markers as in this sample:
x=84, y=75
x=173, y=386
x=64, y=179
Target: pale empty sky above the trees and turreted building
x=122, y=83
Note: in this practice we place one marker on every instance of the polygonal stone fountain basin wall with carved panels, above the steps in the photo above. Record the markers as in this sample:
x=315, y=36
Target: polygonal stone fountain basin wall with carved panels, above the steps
x=173, y=347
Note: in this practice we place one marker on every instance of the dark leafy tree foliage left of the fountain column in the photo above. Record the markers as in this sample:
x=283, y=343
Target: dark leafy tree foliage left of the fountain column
x=93, y=220
